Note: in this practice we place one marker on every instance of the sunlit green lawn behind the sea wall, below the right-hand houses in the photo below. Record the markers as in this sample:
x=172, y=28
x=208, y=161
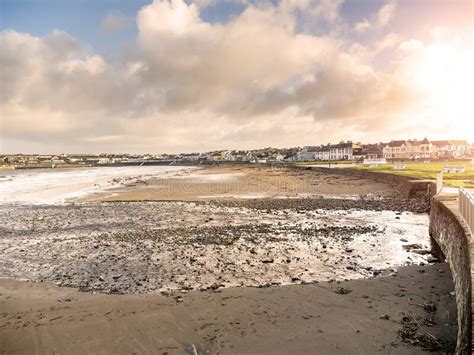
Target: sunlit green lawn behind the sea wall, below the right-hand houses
x=430, y=170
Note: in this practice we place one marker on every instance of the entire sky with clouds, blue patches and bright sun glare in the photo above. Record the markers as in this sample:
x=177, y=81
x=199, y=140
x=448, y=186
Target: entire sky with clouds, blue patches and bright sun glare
x=168, y=76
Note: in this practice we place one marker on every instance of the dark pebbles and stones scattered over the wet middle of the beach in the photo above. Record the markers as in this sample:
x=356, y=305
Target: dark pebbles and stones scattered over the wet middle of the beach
x=118, y=245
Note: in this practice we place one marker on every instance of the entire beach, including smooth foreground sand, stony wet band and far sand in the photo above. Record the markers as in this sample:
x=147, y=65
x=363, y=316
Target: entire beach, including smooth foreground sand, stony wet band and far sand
x=224, y=260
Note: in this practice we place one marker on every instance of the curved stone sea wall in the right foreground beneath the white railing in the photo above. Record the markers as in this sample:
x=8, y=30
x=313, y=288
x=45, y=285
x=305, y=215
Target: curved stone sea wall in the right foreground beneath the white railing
x=452, y=237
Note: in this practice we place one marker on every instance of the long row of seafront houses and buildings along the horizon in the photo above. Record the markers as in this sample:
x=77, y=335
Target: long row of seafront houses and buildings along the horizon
x=394, y=150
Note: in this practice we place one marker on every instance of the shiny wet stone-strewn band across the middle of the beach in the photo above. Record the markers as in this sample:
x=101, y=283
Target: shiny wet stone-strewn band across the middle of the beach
x=135, y=247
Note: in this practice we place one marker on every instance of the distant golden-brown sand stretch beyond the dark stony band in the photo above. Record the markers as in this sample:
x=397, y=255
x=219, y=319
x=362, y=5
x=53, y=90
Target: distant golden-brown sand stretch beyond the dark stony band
x=244, y=182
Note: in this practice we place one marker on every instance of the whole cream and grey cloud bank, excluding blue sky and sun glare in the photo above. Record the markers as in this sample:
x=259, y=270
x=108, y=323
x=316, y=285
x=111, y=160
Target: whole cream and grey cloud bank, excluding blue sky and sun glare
x=194, y=85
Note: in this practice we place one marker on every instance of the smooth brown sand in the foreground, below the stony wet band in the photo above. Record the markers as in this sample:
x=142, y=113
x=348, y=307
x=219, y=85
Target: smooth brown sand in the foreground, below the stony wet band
x=376, y=316
